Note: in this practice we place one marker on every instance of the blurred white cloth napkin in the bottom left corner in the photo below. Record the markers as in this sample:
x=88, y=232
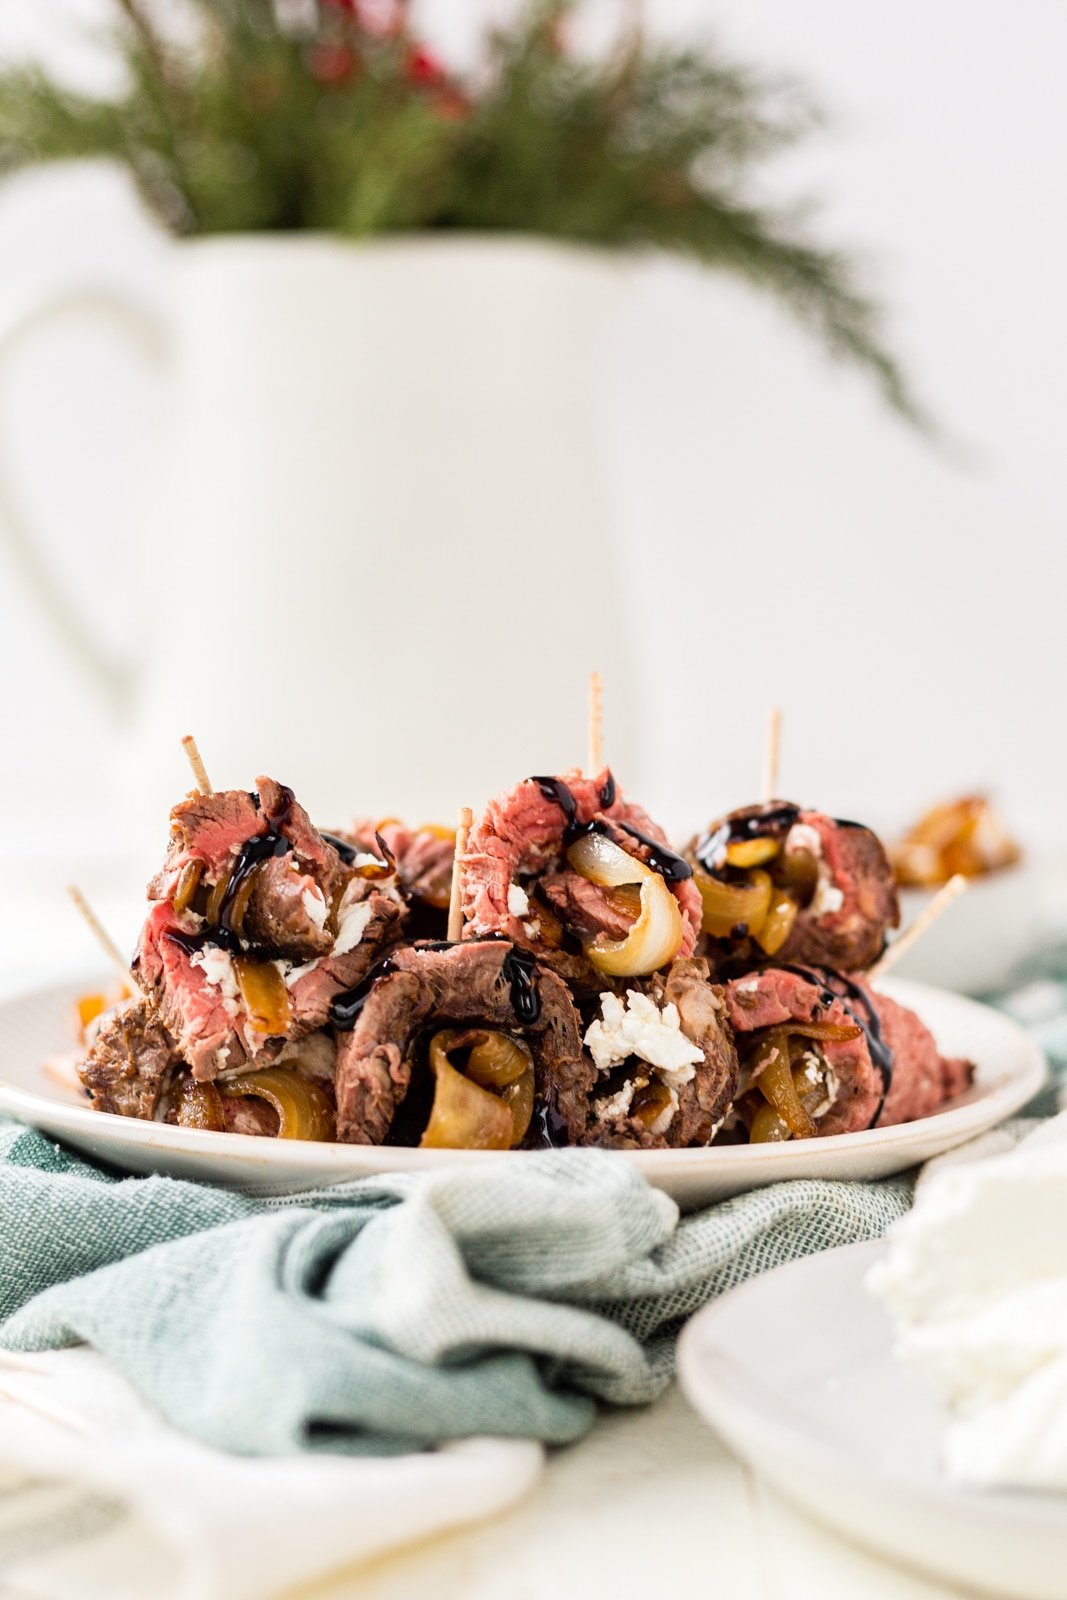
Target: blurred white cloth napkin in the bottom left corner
x=102, y=1500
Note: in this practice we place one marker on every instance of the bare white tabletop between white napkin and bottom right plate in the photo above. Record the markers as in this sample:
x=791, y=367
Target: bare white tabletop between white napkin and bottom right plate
x=649, y=1505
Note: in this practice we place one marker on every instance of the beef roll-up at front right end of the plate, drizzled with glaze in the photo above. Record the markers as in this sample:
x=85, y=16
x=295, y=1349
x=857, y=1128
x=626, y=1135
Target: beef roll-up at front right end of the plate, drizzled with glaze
x=823, y=1055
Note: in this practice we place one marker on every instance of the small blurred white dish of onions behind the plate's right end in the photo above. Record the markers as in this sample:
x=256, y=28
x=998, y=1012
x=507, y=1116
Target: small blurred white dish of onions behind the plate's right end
x=983, y=938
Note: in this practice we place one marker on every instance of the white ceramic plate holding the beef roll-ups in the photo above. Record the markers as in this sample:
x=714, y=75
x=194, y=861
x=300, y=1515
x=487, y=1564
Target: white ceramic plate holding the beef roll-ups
x=34, y=1026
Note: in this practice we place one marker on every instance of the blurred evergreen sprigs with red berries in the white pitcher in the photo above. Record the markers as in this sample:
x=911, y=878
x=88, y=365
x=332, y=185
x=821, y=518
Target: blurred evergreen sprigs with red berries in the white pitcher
x=311, y=114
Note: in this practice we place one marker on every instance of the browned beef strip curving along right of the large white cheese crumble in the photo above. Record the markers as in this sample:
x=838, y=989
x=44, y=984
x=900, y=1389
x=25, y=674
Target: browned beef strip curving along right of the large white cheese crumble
x=709, y=1094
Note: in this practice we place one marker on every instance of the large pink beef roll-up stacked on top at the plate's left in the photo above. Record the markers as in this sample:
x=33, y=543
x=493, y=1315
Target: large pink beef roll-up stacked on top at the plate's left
x=257, y=924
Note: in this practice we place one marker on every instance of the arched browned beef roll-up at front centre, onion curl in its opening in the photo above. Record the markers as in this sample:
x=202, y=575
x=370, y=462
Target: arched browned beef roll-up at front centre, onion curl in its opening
x=470, y=1046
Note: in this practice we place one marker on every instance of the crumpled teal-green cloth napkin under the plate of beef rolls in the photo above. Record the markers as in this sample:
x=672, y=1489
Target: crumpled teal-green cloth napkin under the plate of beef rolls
x=394, y=1313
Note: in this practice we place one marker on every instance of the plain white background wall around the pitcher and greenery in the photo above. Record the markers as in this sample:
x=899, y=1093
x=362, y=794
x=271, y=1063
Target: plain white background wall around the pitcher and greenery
x=791, y=540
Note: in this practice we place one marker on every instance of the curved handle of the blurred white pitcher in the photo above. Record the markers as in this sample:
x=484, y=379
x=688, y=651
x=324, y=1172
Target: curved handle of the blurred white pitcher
x=22, y=316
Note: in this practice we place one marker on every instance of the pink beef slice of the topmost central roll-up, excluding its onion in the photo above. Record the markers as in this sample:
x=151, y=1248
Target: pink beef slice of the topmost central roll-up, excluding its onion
x=519, y=882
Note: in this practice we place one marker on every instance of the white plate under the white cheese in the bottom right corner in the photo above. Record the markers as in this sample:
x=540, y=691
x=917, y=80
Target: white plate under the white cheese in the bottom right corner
x=828, y=1417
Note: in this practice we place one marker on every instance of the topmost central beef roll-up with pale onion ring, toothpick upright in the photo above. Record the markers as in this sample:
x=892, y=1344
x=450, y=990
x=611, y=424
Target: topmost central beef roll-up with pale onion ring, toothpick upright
x=585, y=879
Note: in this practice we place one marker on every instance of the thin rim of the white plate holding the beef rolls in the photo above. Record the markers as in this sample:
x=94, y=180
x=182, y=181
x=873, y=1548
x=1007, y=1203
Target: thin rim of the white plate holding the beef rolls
x=773, y=1162
